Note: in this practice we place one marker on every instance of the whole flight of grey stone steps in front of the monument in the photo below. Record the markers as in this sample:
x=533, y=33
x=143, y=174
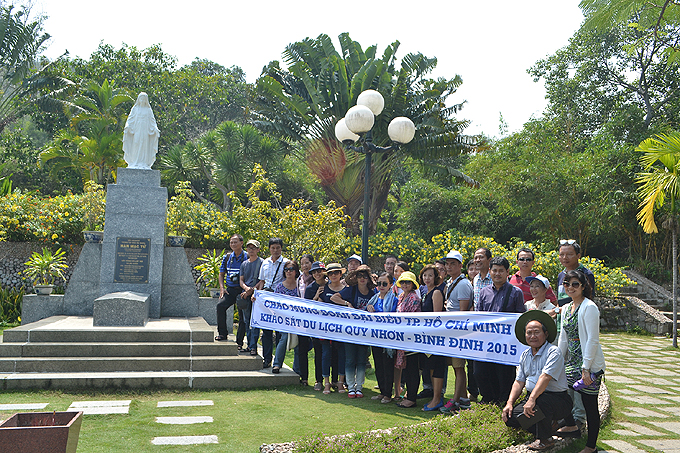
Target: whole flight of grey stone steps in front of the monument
x=69, y=353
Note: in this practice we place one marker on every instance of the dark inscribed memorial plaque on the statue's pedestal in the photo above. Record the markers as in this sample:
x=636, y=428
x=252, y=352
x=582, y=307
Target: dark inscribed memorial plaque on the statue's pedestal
x=132, y=260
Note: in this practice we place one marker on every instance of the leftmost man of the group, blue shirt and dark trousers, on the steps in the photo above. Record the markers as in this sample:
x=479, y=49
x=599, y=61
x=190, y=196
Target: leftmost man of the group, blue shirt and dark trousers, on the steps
x=231, y=265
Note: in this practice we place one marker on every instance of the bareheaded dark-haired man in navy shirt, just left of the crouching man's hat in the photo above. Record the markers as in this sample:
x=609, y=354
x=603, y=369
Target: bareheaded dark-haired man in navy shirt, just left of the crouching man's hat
x=494, y=380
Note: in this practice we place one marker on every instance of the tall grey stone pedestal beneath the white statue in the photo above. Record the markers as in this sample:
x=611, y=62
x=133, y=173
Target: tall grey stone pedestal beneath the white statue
x=136, y=210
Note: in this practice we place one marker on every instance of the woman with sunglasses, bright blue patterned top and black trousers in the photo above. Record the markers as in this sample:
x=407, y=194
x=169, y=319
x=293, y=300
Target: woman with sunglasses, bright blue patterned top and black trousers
x=383, y=358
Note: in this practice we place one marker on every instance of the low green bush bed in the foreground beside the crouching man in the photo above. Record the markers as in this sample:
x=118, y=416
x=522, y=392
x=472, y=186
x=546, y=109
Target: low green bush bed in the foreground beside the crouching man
x=477, y=430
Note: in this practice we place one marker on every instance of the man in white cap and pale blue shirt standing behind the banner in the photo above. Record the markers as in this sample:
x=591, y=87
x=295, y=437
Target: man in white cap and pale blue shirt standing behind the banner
x=458, y=293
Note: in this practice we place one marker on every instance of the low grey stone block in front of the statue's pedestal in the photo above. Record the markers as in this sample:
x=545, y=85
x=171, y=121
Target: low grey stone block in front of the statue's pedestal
x=121, y=309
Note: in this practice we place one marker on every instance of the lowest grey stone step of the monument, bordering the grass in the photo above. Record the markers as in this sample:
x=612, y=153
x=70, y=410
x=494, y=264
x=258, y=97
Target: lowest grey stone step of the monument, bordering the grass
x=150, y=379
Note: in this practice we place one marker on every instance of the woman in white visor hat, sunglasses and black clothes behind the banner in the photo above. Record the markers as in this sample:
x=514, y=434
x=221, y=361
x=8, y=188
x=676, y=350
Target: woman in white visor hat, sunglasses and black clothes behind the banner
x=333, y=352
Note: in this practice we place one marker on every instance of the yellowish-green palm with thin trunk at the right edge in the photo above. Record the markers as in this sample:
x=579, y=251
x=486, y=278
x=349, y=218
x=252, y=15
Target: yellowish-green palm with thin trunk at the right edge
x=659, y=181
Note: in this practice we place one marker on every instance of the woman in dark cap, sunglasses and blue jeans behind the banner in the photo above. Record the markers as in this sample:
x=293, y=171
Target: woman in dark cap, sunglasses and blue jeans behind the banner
x=357, y=295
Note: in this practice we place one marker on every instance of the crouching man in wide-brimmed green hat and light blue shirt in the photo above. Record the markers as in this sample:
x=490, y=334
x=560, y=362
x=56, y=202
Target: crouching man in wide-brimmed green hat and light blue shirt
x=541, y=370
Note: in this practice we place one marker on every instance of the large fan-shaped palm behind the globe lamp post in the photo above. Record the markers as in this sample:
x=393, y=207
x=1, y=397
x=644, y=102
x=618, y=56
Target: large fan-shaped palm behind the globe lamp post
x=304, y=102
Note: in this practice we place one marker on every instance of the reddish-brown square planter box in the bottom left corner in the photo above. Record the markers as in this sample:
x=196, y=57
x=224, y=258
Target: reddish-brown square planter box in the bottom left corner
x=41, y=432
